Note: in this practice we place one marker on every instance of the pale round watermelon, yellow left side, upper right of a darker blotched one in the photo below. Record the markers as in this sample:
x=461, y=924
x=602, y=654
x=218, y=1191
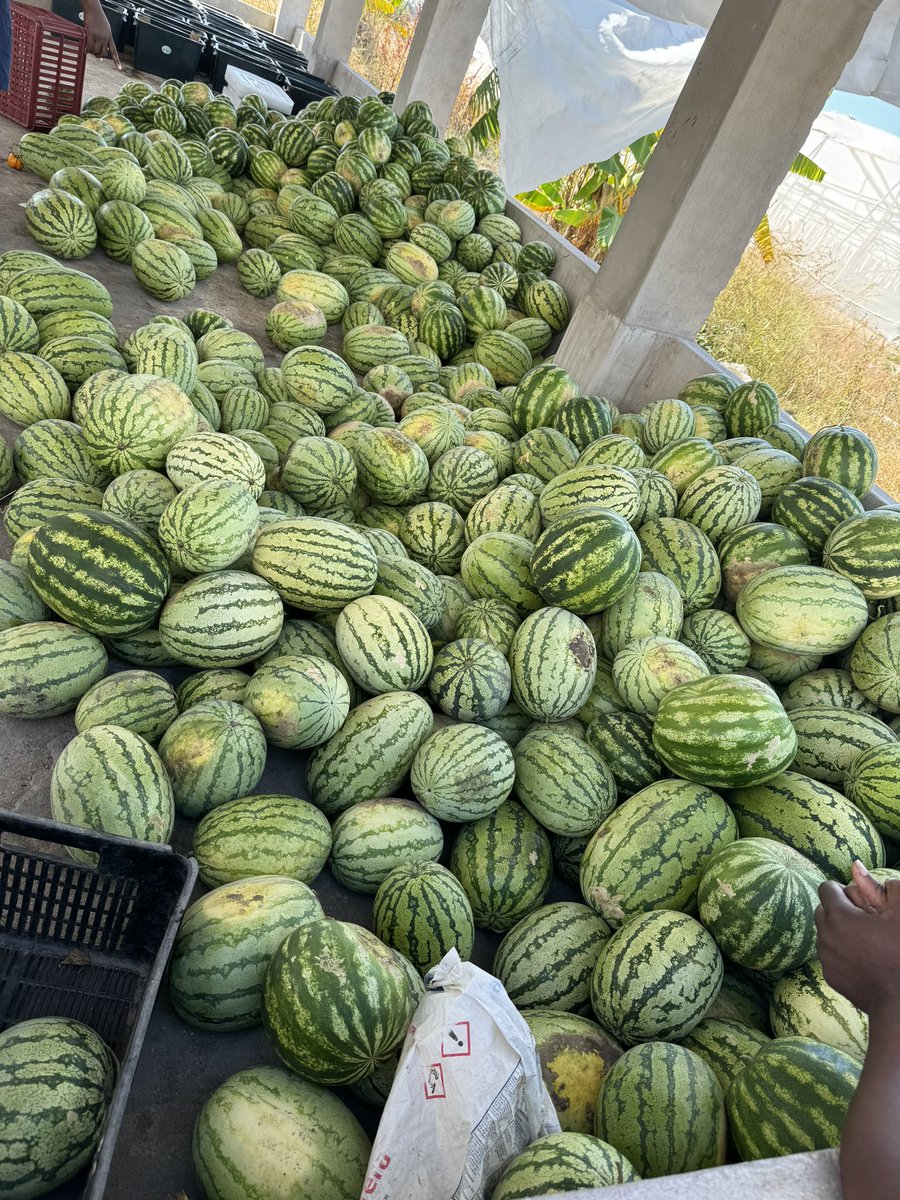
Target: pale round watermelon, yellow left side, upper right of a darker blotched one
x=299, y=701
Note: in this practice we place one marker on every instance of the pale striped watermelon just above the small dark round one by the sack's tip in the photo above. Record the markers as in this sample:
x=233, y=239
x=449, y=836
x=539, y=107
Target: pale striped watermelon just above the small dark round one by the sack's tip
x=373, y=838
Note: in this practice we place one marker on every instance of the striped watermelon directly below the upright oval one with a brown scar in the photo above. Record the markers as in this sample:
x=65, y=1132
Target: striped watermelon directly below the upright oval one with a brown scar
x=563, y=783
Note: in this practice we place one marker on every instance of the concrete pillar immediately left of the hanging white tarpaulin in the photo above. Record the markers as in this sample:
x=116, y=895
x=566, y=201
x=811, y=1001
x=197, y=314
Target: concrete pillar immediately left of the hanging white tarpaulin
x=441, y=55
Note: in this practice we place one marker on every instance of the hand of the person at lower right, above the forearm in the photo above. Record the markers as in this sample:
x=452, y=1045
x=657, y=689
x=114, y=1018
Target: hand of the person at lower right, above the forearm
x=860, y=941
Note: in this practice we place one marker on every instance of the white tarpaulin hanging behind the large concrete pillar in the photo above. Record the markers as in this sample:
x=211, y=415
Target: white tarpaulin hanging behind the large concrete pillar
x=580, y=80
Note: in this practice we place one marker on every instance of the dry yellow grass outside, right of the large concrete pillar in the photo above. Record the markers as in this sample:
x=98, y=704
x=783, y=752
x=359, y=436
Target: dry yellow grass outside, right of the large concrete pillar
x=827, y=367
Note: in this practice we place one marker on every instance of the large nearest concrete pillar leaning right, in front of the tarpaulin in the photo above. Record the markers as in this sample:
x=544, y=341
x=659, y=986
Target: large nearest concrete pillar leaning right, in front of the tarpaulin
x=760, y=81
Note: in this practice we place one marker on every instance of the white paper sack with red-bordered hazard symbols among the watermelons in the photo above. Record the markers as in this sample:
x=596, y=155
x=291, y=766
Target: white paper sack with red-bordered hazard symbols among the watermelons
x=467, y=1097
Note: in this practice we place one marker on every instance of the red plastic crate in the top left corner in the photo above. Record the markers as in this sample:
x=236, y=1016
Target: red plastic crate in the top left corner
x=47, y=73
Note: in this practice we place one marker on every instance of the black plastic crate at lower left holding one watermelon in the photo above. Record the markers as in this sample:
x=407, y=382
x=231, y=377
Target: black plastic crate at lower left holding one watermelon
x=89, y=943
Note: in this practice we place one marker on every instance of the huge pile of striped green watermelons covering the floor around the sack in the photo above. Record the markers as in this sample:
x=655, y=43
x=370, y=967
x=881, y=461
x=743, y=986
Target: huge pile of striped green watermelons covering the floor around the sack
x=511, y=634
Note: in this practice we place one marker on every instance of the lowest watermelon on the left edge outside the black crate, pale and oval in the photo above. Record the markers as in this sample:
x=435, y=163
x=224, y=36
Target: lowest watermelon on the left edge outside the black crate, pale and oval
x=46, y=668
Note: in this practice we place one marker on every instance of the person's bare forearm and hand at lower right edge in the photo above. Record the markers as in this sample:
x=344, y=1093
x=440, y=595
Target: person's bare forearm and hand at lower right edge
x=860, y=952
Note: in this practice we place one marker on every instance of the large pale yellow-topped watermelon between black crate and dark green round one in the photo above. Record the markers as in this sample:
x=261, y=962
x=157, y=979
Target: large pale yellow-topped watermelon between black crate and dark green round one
x=225, y=944
